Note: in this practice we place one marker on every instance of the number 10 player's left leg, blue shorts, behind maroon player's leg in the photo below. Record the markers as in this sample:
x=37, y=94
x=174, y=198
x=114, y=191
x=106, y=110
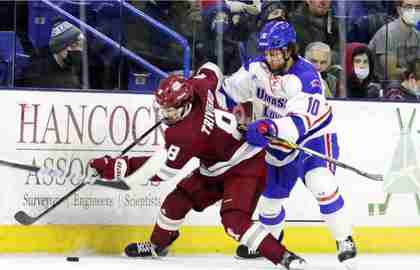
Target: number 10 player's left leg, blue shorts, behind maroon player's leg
x=280, y=181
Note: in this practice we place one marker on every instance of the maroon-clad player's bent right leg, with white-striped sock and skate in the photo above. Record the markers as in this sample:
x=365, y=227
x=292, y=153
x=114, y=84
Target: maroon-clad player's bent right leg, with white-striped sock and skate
x=239, y=200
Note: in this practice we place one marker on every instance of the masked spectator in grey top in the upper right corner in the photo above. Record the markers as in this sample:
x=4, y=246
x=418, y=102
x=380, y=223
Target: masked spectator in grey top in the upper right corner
x=397, y=43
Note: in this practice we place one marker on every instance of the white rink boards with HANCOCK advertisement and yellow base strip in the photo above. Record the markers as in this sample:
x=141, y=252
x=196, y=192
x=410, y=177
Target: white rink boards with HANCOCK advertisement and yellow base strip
x=66, y=129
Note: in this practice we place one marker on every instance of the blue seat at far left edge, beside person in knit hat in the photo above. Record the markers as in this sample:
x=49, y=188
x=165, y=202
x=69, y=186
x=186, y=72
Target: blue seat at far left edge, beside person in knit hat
x=8, y=43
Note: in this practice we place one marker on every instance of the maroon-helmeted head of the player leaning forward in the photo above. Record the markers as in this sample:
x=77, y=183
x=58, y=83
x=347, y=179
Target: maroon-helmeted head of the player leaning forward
x=174, y=97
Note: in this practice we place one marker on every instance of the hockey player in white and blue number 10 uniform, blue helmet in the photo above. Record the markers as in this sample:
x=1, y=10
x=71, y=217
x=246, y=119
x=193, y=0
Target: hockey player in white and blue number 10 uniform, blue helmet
x=288, y=102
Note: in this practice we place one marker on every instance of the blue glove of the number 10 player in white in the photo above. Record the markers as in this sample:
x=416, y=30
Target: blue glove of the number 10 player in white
x=257, y=131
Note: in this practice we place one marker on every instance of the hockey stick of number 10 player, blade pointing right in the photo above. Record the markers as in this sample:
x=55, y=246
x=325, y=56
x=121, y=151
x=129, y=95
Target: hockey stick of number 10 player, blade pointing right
x=372, y=176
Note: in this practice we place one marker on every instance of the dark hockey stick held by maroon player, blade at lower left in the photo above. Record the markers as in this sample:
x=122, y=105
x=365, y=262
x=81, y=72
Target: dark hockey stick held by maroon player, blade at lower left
x=23, y=218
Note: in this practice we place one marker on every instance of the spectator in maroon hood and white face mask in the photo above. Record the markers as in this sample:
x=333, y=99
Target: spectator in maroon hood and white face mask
x=360, y=72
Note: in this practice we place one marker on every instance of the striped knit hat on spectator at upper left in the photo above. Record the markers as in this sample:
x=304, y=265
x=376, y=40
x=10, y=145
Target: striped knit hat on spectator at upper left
x=63, y=35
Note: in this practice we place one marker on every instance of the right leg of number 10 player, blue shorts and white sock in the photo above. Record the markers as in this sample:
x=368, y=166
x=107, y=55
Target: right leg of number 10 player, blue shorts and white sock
x=320, y=180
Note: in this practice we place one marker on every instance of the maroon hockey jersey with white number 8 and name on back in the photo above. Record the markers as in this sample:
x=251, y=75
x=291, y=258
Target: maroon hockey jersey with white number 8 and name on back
x=208, y=133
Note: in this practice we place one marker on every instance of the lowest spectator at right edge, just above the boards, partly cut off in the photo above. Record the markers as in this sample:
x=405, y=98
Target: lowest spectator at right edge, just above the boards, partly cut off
x=409, y=88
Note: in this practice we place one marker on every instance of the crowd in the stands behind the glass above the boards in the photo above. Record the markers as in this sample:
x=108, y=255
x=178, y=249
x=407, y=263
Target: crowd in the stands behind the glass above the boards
x=362, y=49
